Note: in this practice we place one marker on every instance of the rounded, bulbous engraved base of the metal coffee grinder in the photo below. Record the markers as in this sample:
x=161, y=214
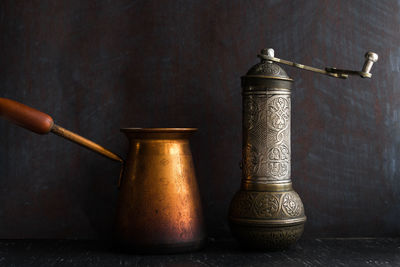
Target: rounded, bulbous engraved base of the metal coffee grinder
x=267, y=220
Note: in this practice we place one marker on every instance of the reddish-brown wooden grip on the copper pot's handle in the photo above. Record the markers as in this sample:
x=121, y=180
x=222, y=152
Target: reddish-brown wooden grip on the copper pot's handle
x=26, y=117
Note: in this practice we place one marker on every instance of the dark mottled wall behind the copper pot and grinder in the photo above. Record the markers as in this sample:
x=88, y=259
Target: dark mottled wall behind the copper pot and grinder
x=96, y=66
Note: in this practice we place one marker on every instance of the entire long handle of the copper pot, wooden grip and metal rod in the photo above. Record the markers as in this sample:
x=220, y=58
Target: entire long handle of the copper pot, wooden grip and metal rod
x=41, y=123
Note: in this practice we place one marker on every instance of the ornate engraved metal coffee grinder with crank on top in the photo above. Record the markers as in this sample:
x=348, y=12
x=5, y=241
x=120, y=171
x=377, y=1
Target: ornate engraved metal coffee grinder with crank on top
x=267, y=213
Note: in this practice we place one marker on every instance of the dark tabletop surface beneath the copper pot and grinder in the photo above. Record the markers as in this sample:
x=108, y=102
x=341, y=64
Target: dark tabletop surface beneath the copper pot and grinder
x=307, y=252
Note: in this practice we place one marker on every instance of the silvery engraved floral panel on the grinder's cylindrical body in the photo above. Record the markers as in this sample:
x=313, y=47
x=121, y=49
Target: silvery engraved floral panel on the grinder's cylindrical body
x=266, y=145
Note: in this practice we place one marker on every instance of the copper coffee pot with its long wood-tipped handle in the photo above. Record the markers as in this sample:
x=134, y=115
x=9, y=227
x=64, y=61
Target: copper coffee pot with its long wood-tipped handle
x=159, y=207
